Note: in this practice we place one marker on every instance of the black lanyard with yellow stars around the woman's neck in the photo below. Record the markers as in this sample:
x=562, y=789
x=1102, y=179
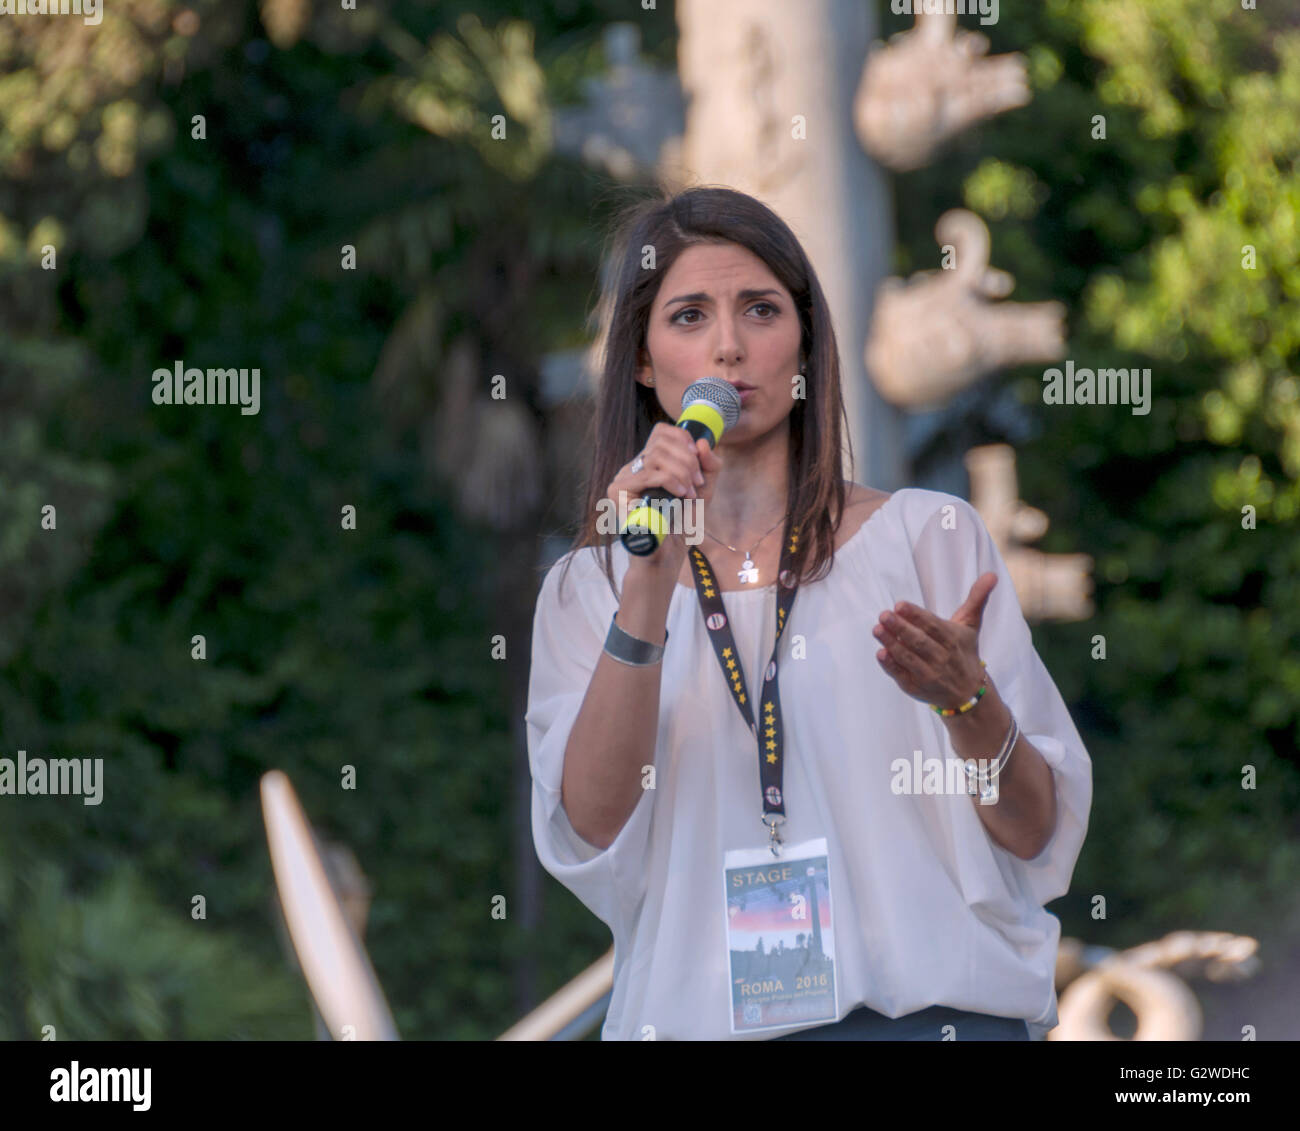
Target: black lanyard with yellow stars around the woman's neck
x=772, y=743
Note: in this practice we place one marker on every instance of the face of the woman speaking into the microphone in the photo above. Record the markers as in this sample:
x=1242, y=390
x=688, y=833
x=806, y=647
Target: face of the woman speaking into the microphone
x=708, y=322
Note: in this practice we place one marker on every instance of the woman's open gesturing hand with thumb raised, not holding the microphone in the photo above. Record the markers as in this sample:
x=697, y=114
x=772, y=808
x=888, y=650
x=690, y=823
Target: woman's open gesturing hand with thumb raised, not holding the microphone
x=933, y=660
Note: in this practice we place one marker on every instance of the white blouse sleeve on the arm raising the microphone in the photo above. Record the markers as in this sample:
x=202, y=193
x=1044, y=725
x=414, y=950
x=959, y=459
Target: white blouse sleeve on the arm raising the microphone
x=569, y=638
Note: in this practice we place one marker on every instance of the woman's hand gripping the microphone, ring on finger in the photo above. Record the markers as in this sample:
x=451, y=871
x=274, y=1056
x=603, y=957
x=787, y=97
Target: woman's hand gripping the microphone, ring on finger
x=683, y=467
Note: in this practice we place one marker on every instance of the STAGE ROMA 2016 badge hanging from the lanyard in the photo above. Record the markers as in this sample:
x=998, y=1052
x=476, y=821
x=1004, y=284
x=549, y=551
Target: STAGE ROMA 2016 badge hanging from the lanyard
x=779, y=937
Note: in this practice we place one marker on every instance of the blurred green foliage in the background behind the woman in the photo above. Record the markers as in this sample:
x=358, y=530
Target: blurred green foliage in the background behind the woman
x=331, y=648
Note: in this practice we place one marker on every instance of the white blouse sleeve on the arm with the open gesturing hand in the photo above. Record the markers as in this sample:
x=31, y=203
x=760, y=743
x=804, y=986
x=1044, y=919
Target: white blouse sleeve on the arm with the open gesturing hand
x=952, y=548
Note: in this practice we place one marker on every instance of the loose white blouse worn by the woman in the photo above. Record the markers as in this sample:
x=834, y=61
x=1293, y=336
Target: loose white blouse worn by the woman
x=928, y=908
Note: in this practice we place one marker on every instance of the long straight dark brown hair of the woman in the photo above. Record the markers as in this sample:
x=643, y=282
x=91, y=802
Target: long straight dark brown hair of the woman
x=626, y=411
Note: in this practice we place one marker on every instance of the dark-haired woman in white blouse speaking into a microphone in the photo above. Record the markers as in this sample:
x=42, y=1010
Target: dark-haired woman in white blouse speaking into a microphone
x=877, y=896
